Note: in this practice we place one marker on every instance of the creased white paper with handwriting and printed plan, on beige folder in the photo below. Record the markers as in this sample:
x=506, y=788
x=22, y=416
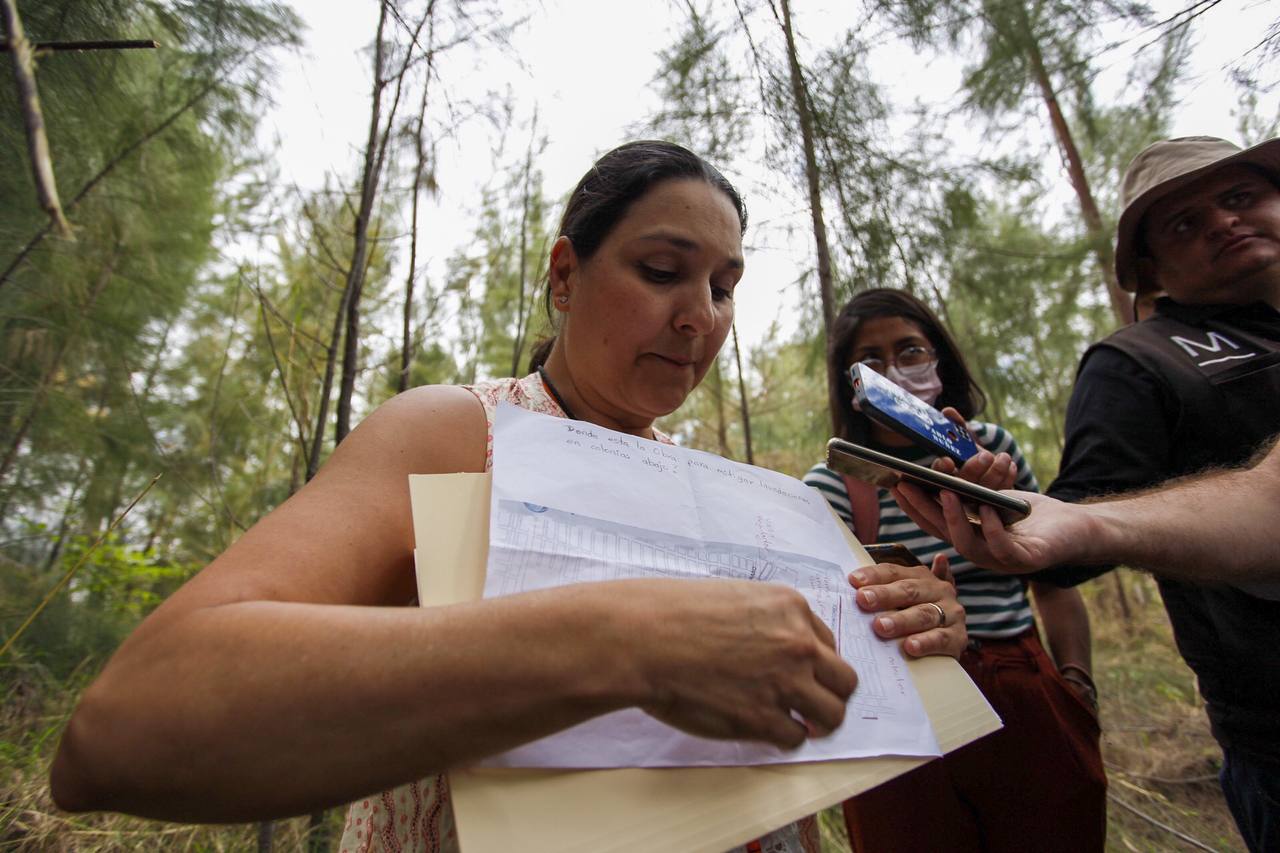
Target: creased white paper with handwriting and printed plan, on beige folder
x=574, y=503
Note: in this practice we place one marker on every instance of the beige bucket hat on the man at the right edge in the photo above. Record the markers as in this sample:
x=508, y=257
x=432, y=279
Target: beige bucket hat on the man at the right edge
x=1167, y=166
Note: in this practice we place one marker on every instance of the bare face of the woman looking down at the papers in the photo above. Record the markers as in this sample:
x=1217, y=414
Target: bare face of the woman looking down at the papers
x=650, y=311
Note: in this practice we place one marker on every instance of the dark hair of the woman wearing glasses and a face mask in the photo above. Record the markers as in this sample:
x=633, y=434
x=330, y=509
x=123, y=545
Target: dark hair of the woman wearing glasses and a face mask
x=959, y=389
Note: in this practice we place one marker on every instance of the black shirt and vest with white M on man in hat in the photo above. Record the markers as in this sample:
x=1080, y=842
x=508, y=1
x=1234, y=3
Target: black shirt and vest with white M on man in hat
x=1192, y=389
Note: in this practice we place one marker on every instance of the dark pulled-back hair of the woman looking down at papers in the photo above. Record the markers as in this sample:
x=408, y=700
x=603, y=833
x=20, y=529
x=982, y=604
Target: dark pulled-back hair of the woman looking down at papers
x=623, y=177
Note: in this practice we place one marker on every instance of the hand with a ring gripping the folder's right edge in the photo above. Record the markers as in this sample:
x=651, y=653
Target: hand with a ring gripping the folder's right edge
x=912, y=597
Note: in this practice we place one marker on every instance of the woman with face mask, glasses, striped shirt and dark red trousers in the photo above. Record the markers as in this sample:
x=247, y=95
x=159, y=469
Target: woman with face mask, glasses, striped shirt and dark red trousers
x=1039, y=783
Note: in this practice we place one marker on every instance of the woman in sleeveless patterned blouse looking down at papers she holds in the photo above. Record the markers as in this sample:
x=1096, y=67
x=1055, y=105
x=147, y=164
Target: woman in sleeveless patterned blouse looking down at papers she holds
x=291, y=674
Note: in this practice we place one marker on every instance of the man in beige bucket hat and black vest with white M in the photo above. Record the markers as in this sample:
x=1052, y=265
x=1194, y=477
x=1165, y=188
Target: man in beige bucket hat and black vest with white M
x=1197, y=386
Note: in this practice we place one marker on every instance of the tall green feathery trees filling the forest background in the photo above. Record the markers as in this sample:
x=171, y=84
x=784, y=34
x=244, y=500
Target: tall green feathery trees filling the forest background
x=154, y=344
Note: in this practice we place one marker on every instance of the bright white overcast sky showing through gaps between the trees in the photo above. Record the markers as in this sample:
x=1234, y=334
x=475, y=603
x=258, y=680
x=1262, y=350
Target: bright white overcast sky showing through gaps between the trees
x=588, y=66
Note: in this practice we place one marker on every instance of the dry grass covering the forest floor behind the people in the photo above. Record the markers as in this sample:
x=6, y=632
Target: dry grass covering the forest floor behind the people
x=1162, y=759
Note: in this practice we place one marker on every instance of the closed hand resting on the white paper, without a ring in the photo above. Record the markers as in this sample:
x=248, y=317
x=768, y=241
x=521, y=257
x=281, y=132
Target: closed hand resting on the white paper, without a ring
x=737, y=659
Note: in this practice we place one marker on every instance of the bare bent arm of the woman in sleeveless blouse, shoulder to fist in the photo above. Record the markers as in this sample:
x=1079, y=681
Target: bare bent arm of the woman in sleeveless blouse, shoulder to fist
x=280, y=679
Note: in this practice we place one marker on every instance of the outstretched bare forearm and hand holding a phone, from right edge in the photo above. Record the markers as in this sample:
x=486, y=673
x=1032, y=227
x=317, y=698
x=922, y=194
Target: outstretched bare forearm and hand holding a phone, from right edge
x=1219, y=527
